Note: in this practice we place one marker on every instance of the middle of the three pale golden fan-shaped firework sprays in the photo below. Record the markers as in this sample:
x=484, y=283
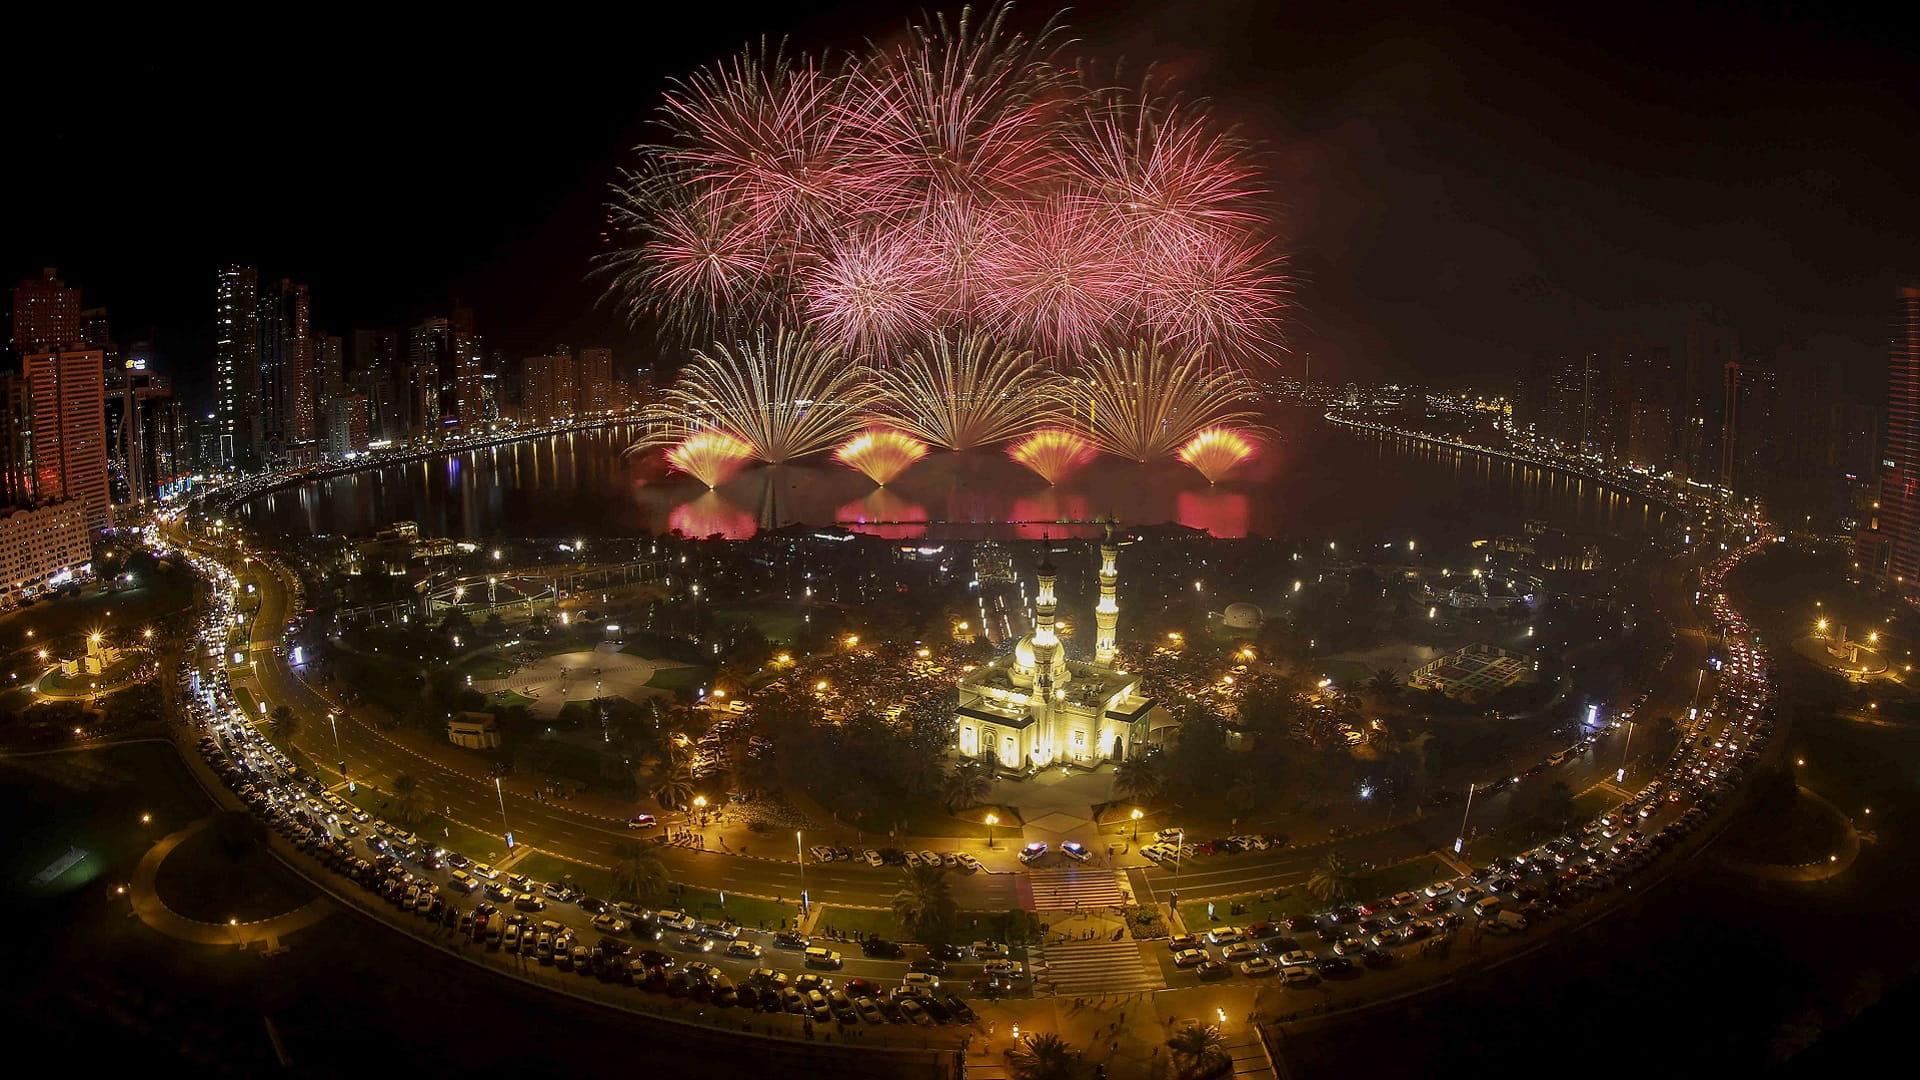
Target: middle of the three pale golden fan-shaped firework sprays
x=965, y=395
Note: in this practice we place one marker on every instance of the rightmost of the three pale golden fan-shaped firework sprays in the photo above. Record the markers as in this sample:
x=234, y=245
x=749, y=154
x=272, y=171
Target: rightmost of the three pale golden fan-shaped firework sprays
x=1141, y=405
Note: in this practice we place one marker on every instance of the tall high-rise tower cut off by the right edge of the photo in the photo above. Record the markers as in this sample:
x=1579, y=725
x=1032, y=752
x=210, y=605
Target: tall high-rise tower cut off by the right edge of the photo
x=1890, y=551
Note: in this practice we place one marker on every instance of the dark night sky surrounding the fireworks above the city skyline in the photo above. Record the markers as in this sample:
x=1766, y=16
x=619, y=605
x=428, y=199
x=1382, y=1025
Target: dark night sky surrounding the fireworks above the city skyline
x=1466, y=185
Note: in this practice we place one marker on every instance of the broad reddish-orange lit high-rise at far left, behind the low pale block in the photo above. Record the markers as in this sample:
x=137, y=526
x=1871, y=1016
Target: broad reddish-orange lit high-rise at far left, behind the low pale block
x=70, y=443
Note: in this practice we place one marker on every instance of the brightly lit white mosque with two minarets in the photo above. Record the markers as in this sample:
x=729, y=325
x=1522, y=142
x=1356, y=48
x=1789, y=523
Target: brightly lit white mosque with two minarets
x=1040, y=708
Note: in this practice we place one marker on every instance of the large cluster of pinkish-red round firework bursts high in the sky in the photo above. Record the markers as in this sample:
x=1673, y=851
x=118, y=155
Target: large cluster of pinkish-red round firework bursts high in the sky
x=965, y=180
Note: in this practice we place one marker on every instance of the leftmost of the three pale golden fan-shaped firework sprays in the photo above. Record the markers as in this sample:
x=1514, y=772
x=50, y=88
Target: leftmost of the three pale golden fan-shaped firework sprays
x=782, y=395
